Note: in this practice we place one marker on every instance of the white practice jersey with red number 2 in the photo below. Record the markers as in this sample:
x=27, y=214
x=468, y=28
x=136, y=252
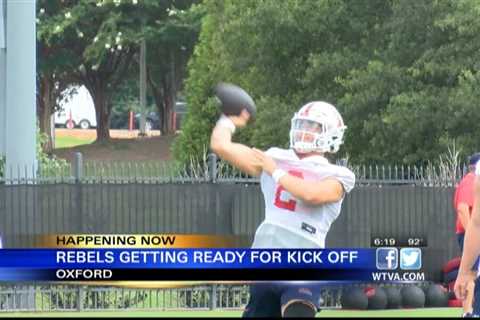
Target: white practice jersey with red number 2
x=289, y=222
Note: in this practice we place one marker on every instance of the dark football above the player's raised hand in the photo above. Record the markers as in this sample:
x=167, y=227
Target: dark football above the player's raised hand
x=234, y=99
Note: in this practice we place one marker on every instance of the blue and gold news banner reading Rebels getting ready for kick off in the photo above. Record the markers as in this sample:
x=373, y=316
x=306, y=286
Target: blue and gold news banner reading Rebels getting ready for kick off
x=175, y=257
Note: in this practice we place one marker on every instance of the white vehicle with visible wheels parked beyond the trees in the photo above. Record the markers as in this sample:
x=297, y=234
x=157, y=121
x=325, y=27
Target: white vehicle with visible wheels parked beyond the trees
x=79, y=108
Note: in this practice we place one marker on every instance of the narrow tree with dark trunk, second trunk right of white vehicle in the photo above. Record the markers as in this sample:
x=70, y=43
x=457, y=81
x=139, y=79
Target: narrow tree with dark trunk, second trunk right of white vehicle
x=170, y=38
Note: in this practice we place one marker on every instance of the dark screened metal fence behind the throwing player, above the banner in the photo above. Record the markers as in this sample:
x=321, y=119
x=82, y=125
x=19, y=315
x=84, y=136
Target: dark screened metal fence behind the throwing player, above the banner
x=211, y=198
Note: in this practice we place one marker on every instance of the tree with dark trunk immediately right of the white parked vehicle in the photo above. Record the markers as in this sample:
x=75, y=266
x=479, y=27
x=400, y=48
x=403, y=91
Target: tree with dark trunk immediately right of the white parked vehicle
x=94, y=43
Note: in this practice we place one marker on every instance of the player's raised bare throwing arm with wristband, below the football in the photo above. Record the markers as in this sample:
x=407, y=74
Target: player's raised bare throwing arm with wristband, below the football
x=239, y=155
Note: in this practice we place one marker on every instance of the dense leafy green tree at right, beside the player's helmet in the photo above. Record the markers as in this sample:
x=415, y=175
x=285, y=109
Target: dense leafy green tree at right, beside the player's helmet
x=417, y=98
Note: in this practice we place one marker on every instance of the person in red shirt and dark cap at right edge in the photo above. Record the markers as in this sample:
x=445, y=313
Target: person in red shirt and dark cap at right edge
x=464, y=206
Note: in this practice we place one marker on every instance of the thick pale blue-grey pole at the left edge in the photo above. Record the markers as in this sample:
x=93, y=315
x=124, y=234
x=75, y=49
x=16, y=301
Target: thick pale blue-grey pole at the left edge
x=20, y=91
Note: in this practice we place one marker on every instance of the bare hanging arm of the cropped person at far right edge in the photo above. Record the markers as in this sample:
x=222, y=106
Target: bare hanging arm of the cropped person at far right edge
x=471, y=247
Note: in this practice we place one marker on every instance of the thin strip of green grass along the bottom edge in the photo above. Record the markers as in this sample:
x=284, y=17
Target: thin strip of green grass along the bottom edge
x=410, y=313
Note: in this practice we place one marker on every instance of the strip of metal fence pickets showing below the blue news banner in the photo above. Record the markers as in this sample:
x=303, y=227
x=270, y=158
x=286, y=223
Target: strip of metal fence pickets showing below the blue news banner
x=47, y=298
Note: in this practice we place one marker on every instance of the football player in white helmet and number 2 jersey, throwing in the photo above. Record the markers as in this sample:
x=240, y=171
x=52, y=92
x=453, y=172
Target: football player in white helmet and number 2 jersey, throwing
x=303, y=195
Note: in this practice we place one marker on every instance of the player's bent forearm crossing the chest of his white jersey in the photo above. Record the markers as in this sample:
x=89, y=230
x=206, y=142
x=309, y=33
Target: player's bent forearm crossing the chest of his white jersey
x=311, y=192
